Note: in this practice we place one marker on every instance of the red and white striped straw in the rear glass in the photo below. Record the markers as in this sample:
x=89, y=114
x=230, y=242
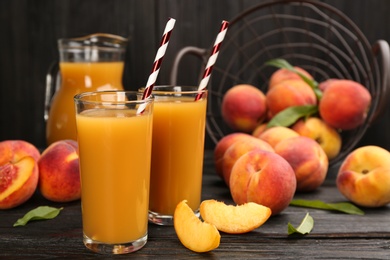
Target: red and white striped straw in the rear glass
x=213, y=58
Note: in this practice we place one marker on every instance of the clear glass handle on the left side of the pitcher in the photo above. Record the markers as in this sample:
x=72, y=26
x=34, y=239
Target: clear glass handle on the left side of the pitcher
x=52, y=85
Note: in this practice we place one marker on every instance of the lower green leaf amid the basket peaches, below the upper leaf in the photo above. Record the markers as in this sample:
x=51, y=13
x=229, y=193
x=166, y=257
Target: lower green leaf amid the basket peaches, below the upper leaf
x=290, y=115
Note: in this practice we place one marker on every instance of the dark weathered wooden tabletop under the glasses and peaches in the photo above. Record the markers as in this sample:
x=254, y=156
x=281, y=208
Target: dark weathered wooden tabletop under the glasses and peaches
x=335, y=235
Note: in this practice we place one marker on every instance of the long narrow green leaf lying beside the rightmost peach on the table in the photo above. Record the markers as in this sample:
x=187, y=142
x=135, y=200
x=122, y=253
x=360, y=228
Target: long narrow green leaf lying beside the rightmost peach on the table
x=344, y=207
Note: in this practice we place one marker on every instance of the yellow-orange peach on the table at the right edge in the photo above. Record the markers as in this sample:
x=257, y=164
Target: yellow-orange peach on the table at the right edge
x=364, y=176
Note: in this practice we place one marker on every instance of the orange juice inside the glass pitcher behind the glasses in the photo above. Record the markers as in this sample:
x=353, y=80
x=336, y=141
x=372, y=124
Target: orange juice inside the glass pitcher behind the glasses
x=77, y=78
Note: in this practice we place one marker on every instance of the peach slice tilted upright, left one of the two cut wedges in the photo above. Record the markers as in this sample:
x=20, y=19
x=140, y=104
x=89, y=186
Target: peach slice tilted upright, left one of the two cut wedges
x=194, y=234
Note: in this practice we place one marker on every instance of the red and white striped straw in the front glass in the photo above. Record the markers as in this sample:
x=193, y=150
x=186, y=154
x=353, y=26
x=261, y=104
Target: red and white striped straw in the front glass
x=157, y=61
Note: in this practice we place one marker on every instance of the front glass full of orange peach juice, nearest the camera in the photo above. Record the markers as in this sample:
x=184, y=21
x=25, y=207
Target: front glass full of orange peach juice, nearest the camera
x=114, y=131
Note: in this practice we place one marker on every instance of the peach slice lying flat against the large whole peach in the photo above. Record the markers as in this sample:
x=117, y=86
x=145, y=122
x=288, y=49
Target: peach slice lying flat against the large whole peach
x=234, y=219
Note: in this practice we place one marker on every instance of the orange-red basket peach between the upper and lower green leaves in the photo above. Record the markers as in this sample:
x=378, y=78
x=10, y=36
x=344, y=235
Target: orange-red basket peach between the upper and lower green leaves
x=289, y=93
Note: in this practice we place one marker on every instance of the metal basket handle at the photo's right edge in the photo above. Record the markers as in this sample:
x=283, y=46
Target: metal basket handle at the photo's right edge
x=382, y=50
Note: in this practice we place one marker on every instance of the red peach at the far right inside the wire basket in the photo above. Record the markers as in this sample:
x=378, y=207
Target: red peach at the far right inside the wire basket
x=344, y=104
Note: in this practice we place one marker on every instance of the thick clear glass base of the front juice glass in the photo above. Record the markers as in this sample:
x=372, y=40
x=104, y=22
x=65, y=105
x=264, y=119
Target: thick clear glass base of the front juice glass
x=123, y=248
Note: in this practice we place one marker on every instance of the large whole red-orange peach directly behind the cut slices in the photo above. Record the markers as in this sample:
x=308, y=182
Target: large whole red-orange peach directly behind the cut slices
x=264, y=178
